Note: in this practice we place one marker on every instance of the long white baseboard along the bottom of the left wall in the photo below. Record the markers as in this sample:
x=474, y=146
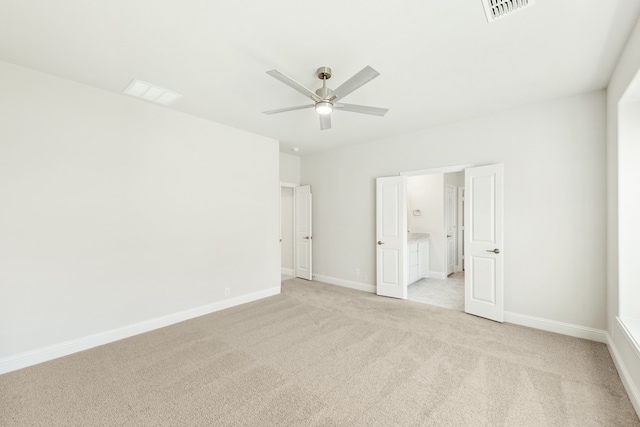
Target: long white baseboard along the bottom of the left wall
x=55, y=351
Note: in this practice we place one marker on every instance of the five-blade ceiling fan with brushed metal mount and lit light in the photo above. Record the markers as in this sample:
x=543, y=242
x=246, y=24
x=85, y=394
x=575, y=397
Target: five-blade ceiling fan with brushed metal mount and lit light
x=325, y=99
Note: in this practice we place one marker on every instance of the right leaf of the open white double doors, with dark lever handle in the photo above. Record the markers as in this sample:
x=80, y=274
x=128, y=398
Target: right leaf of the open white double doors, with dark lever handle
x=484, y=282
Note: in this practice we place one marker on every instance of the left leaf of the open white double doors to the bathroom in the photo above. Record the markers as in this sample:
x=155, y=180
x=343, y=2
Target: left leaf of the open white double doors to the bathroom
x=391, y=236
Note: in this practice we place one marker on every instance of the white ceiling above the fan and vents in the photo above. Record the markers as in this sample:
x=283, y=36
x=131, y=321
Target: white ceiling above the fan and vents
x=440, y=61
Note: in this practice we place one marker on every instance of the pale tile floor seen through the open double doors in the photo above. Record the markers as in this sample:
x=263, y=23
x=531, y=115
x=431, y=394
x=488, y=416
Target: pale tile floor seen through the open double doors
x=448, y=293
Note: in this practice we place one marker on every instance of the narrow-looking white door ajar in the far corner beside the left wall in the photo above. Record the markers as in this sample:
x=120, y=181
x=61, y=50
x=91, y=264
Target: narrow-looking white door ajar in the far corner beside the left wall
x=304, y=247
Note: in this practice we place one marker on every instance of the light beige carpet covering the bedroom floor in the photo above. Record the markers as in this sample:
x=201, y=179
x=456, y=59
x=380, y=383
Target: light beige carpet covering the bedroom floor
x=320, y=355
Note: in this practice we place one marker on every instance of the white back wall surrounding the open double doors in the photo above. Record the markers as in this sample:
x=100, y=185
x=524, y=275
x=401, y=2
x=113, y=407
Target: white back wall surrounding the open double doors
x=555, y=214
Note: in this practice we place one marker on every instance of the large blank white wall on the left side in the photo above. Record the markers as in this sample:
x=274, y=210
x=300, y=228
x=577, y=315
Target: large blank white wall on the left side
x=116, y=211
